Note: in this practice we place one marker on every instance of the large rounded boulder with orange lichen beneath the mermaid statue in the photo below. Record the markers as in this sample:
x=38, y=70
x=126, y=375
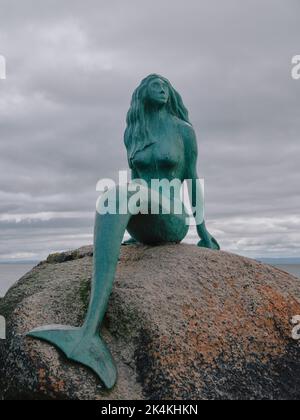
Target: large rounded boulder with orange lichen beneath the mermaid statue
x=183, y=323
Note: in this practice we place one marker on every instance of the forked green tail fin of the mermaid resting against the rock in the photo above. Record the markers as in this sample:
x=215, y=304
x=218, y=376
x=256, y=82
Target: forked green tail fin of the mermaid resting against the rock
x=80, y=347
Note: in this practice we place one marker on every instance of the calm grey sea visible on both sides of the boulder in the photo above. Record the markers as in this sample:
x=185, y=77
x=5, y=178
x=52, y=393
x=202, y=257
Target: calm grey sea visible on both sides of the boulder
x=10, y=273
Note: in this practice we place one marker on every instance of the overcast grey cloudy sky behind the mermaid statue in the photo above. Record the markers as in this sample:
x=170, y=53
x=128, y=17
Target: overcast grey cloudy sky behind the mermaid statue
x=71, y=69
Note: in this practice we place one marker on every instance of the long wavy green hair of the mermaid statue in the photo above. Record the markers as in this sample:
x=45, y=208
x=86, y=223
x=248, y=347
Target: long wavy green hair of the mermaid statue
x=136, y=135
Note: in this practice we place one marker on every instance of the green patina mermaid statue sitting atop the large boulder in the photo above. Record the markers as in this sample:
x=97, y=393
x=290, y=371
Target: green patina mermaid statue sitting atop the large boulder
x=161, y=144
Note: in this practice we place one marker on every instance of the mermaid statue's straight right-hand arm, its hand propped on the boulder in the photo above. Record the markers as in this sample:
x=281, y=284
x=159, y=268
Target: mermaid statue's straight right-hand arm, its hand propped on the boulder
x=196, y=193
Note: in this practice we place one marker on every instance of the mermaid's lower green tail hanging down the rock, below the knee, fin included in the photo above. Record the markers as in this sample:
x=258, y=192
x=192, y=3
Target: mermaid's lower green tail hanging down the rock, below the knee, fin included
x=84, y=345
